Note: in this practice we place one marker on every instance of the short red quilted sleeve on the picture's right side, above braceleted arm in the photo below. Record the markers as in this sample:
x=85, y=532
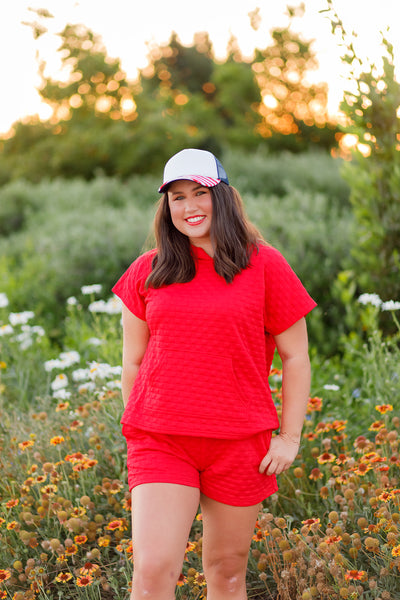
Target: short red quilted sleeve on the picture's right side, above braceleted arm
x=286, y=299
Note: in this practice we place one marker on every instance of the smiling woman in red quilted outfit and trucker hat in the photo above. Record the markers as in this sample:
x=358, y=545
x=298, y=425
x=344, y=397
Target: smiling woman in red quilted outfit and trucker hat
x=202, y=316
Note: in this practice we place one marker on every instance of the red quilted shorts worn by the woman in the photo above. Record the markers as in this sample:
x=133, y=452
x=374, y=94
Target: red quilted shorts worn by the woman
x=224, y=470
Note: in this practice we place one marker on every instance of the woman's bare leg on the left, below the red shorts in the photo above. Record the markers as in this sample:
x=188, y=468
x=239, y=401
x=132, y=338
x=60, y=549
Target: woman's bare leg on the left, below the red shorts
x=162, y=515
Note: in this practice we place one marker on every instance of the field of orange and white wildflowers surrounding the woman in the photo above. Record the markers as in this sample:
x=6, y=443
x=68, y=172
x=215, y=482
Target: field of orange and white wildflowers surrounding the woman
x=332, y=531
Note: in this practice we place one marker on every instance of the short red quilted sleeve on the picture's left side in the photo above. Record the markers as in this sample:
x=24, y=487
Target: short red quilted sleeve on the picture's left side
x=131, y=288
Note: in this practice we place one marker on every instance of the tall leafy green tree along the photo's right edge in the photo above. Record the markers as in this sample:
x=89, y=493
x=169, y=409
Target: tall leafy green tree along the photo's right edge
x=374, y=172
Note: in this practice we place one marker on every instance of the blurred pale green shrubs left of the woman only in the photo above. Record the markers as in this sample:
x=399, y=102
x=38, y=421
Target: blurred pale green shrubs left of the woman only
x=79, y=233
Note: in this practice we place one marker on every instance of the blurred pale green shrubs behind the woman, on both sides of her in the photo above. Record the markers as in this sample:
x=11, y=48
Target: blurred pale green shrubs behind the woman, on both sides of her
x=71, y=233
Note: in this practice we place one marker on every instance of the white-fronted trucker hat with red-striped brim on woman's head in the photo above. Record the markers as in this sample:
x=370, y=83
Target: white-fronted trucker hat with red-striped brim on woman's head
x=200, y=166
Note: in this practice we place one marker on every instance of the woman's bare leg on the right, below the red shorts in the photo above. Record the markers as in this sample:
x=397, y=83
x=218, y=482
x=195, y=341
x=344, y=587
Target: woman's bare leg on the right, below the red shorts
x=227, y=533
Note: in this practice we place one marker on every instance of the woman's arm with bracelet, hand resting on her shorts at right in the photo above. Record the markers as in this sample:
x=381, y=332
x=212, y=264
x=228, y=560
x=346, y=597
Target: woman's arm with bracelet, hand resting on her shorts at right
x=292, y=346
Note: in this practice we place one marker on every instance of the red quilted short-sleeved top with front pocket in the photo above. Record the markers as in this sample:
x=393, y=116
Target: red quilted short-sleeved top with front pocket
x=205, y=370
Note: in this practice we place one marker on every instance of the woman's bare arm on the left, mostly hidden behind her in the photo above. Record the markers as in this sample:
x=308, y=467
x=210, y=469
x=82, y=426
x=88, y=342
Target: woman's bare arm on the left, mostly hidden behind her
x=135, y=340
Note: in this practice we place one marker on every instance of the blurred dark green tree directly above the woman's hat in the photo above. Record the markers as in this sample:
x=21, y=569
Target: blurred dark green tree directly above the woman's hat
x=219, y=99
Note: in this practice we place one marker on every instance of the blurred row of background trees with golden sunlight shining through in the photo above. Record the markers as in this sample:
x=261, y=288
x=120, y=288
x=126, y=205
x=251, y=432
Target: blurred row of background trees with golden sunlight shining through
x=101, y=122
